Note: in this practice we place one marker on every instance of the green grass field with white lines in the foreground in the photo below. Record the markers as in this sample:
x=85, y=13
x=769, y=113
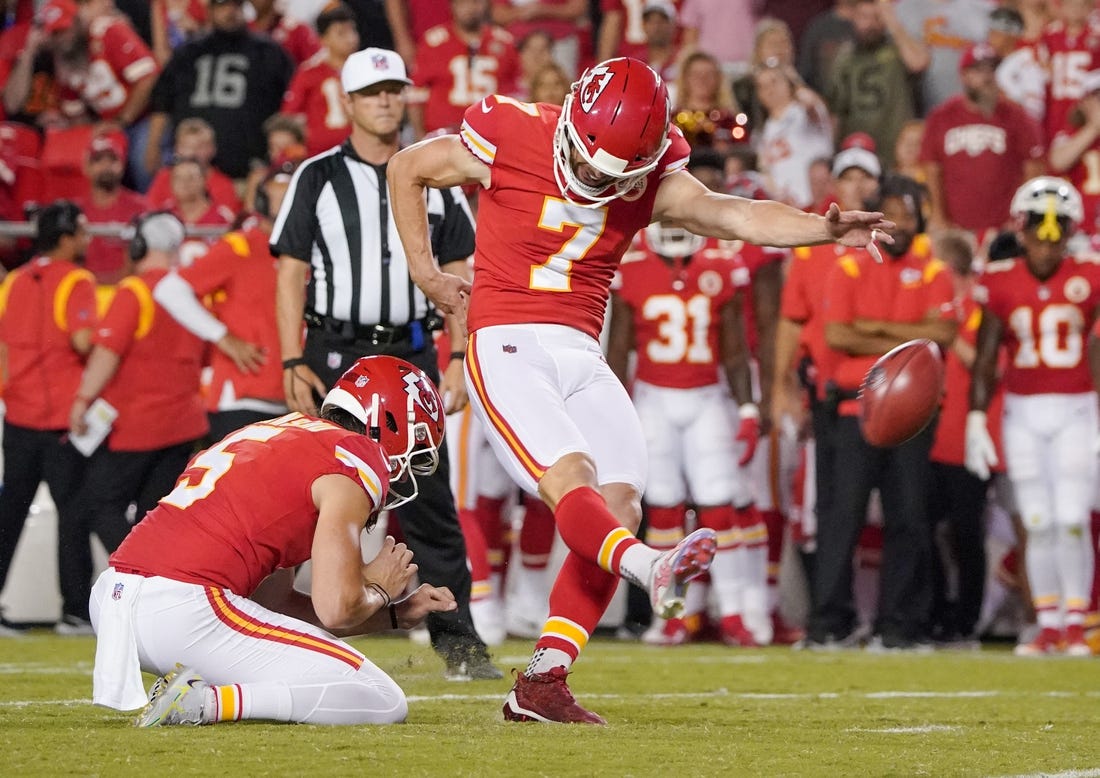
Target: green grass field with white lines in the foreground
x=700, y=710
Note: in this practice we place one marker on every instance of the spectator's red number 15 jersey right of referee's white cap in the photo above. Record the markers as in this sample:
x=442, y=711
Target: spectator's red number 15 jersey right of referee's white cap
x=450, y=75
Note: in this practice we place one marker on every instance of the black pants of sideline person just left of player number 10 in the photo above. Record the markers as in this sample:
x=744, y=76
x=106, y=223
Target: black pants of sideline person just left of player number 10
x=958, y=500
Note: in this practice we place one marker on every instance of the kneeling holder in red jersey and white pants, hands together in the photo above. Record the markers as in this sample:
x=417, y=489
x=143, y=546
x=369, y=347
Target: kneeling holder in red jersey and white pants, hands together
x=204, y=583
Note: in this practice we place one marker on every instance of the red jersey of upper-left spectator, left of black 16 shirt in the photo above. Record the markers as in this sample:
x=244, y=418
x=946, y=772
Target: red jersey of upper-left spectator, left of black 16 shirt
x=118, y=59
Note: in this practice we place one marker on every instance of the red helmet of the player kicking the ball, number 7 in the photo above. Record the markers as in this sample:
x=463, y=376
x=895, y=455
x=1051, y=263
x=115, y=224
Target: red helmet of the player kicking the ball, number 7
x=618, y=118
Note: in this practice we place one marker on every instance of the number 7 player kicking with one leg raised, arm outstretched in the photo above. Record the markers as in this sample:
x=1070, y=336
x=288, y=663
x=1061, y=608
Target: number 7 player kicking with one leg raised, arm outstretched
x=565, y=190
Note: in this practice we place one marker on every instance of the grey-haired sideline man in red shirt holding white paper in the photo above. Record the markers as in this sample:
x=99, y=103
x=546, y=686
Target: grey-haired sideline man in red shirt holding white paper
x=148, y=368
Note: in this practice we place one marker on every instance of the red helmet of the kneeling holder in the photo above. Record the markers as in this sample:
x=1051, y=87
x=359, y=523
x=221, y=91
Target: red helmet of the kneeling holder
x=402, y=410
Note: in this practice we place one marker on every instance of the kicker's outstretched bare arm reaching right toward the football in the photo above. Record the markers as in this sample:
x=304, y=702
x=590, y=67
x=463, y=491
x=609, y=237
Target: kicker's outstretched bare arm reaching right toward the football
x=686, y=202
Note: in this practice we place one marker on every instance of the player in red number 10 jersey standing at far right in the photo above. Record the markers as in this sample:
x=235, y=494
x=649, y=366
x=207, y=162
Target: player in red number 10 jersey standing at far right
x=1042, y=308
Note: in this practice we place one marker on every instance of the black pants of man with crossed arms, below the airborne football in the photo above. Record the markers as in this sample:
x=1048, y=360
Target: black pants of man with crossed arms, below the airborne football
x=903, y=477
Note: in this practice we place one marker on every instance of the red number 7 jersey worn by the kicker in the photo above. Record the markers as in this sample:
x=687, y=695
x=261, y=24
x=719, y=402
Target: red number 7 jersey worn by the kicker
x=541, y=259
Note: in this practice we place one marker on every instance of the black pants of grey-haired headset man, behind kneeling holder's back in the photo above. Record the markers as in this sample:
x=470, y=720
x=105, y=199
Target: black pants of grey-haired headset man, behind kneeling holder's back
x=117, y=479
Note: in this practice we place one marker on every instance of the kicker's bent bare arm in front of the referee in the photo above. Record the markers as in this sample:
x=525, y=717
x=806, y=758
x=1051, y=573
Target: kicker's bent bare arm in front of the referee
x=439, y=163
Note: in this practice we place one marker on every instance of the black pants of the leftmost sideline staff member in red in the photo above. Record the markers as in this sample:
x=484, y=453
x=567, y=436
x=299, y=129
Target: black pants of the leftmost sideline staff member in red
x=31, y=457
